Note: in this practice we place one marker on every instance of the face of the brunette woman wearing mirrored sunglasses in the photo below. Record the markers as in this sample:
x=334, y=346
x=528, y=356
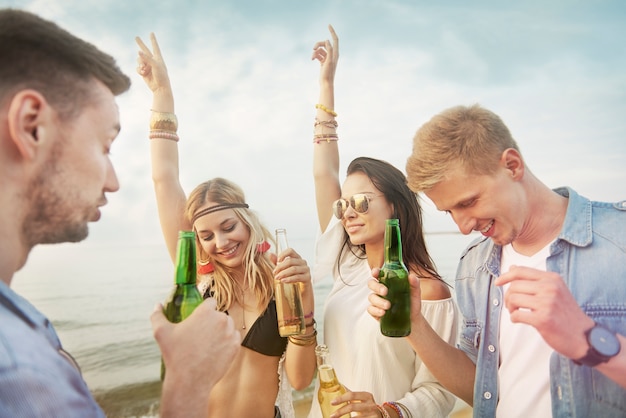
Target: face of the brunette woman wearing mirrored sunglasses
x=365, y=228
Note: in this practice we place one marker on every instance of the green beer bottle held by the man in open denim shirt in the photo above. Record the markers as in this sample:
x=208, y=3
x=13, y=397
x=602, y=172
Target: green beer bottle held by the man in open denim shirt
x=397, y=320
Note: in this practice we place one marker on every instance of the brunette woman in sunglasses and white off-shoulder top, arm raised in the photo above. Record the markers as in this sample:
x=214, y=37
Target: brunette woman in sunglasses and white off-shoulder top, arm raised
x=383, y=375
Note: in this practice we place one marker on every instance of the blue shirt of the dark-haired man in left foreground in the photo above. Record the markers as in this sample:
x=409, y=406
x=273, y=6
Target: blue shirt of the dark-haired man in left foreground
x=36, y=378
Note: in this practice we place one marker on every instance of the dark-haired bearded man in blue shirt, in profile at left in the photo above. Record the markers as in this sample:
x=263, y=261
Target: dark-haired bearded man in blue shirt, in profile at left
x=58, y=120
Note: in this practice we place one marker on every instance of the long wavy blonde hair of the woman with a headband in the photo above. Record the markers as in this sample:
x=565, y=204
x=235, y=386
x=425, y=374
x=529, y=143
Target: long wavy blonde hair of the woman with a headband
x=258, y=268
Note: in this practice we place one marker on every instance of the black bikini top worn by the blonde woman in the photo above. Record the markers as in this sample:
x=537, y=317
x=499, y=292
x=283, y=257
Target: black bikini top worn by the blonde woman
x=263, y=336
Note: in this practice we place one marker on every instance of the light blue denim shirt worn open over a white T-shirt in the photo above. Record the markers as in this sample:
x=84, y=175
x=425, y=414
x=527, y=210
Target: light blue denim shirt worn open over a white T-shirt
x=590, y=255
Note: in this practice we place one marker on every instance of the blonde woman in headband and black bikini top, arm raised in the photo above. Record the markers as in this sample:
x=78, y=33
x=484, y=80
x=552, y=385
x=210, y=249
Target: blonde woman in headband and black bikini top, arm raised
x=236, y=268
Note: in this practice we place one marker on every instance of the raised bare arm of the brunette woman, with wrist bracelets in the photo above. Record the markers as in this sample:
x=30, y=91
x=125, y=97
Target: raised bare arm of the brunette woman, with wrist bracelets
x=325, y=151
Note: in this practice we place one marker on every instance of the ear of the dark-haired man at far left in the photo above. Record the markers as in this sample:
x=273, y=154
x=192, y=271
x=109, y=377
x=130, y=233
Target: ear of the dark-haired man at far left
x=27, y=111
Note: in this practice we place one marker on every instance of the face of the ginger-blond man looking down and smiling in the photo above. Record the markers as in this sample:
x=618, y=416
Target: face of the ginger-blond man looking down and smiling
x=492, y=204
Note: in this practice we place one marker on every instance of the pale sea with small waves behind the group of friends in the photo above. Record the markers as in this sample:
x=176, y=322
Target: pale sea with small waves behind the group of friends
x=99, y=299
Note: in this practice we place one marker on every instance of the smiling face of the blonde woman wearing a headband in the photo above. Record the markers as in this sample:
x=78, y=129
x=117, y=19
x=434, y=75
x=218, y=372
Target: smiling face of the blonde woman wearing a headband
x=223, y=236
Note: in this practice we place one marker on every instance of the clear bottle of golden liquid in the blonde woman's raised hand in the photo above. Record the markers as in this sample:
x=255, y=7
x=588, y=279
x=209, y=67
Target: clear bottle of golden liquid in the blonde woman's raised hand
x=288, y=299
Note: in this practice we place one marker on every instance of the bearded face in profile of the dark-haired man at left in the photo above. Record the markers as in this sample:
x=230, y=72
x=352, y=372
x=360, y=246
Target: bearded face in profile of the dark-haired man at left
x=70, y=187
